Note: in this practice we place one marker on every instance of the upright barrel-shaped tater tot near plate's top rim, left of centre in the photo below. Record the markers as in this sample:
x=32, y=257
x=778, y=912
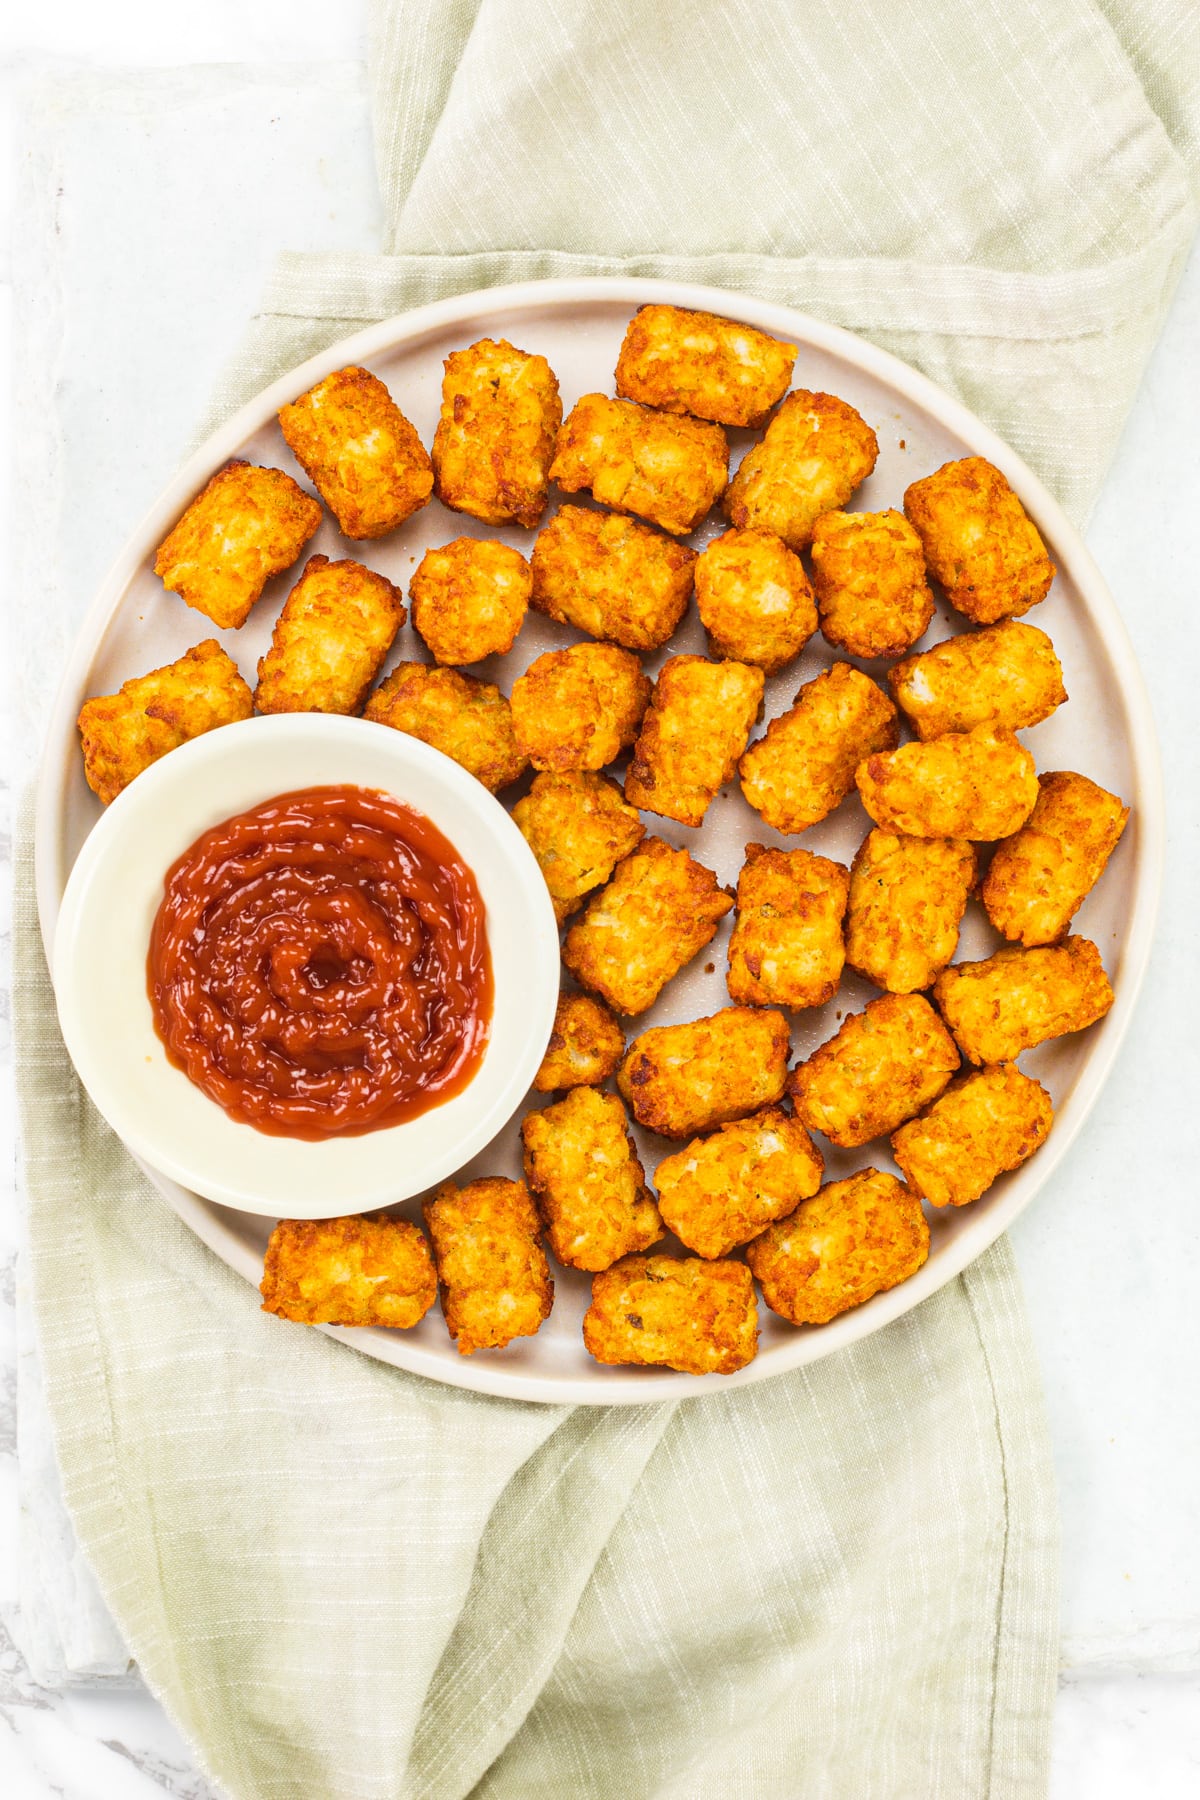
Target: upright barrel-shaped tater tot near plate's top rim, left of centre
x=496, y=435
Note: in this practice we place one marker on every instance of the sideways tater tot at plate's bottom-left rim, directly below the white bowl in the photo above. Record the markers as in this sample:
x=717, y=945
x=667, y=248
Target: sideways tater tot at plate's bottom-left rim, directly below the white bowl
x=350, y=1272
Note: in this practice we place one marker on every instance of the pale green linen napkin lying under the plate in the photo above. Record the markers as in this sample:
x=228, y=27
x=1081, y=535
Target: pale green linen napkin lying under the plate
x=354, y=1585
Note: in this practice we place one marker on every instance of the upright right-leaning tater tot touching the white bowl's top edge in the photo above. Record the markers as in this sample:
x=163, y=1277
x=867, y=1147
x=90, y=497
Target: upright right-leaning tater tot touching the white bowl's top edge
x=330, y=640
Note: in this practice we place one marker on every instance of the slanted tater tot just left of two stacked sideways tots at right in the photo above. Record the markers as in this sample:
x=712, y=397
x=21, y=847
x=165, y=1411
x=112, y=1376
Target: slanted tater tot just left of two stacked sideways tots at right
x=805, y=766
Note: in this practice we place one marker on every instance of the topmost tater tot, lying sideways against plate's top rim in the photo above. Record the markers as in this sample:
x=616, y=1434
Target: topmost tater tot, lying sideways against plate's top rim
x=703, y=364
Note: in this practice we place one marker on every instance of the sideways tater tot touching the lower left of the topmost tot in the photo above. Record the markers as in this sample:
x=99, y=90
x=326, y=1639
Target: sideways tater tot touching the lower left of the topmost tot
x=670, y=471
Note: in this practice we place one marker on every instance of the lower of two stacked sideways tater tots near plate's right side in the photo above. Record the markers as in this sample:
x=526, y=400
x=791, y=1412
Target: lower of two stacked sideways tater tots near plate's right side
x=971, y=784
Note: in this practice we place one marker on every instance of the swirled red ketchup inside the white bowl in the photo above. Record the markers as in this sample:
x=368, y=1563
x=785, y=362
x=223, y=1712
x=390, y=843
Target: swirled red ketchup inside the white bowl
x=319, y=966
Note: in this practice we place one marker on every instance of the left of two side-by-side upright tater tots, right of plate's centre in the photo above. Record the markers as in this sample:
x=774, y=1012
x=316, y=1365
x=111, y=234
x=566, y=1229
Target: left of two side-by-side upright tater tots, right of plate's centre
x=787, y=944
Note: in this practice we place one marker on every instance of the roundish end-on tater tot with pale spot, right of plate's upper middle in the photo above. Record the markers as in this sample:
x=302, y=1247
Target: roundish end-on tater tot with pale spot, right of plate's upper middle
x=755, y=598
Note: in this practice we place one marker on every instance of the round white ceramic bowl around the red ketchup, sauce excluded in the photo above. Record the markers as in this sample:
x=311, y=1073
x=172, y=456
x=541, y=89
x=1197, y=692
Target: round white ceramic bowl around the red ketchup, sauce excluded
x=103, y=937
